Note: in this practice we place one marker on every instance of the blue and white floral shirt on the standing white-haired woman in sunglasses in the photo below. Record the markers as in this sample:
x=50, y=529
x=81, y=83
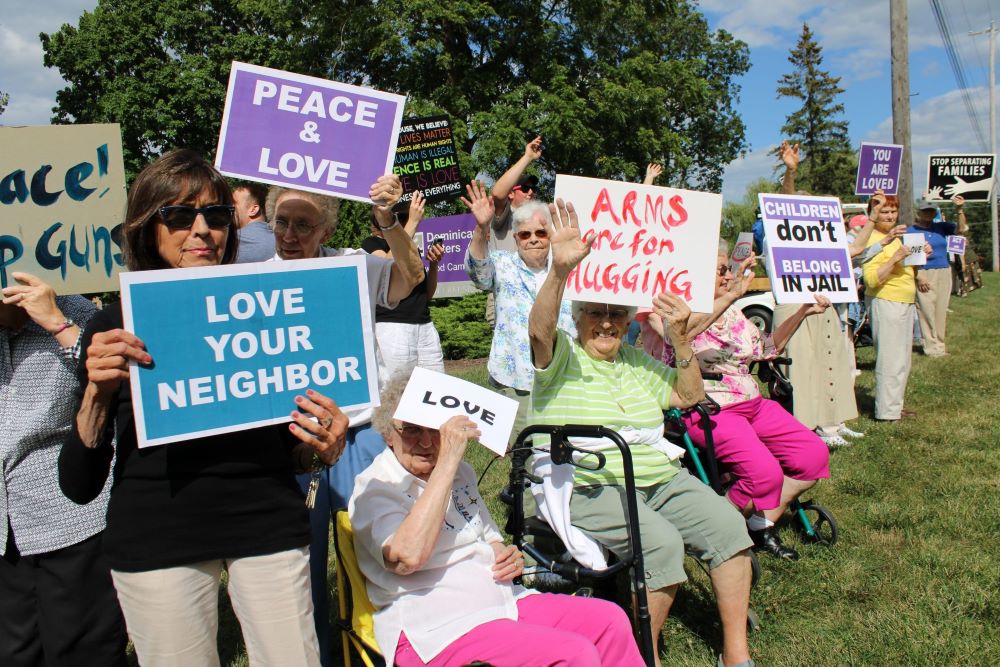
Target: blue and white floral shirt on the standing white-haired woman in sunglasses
x=515, y=286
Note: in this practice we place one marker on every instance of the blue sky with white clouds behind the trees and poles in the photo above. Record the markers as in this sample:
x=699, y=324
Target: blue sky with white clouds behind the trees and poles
x=854, y=35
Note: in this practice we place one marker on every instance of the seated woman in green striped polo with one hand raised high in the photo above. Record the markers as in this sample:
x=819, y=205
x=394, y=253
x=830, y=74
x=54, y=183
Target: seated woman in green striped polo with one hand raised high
x=595, y=379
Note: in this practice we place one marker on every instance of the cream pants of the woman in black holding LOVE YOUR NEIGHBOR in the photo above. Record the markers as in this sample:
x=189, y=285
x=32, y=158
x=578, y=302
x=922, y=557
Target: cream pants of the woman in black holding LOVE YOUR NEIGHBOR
x=172, y=615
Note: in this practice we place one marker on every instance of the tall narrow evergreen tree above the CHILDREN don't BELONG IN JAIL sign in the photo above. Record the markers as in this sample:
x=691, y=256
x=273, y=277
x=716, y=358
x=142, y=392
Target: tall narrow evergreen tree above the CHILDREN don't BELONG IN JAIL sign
x=830, y=163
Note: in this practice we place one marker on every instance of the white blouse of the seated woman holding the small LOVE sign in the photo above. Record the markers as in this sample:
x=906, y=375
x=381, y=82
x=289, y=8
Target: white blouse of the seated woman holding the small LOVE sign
x=454, y=591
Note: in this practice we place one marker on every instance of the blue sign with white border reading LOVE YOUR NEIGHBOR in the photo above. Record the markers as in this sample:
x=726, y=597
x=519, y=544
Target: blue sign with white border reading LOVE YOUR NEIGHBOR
x=239, y=342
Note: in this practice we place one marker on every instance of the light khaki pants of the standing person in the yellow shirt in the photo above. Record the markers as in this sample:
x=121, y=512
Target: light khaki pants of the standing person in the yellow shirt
x=892, y=329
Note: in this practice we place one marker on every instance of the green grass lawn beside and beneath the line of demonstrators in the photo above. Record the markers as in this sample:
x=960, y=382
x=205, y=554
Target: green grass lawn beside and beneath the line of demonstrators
x=915, y=576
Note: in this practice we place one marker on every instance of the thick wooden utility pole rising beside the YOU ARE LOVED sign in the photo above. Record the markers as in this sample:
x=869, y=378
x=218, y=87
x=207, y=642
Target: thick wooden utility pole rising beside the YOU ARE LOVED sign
x=899, y=27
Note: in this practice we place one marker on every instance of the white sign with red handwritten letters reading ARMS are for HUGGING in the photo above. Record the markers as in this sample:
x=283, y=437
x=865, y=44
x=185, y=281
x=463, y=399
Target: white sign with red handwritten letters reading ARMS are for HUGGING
x=649, y=240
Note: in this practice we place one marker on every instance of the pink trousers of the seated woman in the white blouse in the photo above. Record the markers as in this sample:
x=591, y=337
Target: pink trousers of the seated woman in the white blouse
x=551, y=630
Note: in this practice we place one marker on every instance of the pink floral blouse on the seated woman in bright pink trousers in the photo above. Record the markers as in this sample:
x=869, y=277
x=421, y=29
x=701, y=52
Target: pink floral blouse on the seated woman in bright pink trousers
x=727, y=347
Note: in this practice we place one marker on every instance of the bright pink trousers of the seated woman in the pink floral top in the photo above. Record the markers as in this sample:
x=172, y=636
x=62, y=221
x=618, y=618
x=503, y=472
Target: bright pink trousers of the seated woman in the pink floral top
x=760, y=444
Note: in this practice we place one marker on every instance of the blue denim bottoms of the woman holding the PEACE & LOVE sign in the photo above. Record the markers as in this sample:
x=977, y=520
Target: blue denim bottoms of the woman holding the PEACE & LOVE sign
x=335, y=489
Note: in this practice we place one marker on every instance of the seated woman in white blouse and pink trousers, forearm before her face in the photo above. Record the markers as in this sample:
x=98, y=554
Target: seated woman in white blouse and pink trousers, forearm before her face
x=439, y=574
